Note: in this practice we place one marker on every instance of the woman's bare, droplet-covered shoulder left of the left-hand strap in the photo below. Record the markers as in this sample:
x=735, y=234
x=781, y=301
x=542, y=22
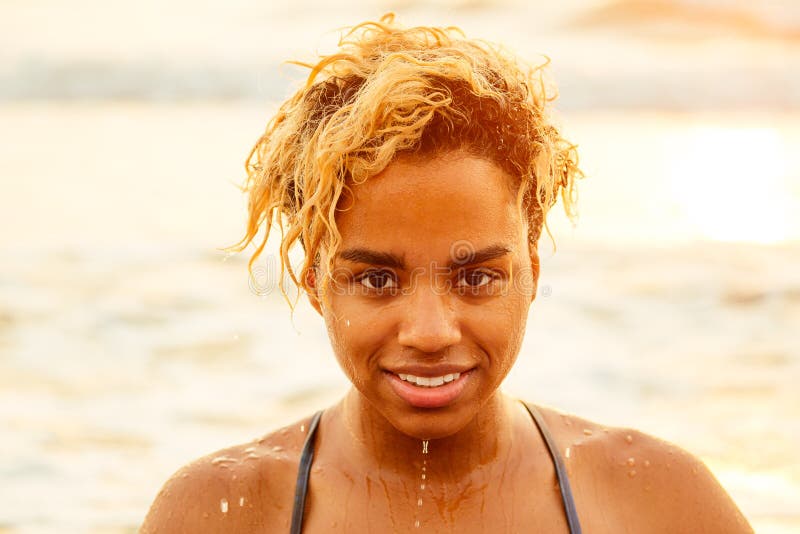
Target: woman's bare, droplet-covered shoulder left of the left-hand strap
x=244, y=488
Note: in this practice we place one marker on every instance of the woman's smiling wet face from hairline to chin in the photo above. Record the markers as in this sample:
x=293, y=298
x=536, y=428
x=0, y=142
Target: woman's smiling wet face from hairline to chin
x=429, y=297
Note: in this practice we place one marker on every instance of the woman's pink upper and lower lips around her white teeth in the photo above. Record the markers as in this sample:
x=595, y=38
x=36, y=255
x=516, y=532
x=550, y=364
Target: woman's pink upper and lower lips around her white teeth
x=429, y=397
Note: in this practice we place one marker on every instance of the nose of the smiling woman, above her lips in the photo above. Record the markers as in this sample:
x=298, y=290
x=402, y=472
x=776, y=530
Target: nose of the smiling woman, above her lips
x=429, y=323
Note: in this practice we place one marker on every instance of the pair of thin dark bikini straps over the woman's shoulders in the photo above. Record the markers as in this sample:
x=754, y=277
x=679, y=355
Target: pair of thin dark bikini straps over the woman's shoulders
x=307, y=456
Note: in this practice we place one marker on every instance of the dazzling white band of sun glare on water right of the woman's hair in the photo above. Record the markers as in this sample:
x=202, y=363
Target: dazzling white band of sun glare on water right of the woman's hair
x=673, y=178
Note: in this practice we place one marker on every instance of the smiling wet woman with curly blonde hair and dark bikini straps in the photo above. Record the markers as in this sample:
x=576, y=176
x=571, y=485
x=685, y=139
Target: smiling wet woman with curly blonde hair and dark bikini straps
x=416, y=169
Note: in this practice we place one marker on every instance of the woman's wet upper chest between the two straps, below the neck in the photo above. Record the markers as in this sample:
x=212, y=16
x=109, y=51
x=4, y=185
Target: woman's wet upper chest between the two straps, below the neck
x=516, y=502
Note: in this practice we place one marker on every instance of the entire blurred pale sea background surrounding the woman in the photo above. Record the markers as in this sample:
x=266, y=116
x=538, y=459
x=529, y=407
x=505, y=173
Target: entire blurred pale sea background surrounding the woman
x=130, y=344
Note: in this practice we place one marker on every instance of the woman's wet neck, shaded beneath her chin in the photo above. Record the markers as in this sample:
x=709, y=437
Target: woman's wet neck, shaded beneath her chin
x=366, y=440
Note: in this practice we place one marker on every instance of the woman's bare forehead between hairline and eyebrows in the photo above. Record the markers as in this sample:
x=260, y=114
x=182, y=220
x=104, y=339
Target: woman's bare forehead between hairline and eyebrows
x=421, y=207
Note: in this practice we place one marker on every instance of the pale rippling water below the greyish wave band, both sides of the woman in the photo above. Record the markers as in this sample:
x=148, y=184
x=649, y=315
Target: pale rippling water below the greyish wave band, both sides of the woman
x=129, y=346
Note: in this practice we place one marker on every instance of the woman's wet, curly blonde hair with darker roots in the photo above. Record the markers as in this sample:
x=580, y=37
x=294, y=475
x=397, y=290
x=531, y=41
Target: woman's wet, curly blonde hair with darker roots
x=391, y=92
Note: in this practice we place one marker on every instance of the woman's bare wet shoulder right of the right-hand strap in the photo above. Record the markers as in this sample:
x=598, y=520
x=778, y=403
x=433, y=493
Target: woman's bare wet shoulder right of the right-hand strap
x=627, y=477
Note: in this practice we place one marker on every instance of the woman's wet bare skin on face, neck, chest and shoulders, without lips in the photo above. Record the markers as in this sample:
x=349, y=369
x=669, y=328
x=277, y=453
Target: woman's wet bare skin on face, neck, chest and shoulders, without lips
x=487, y=468
